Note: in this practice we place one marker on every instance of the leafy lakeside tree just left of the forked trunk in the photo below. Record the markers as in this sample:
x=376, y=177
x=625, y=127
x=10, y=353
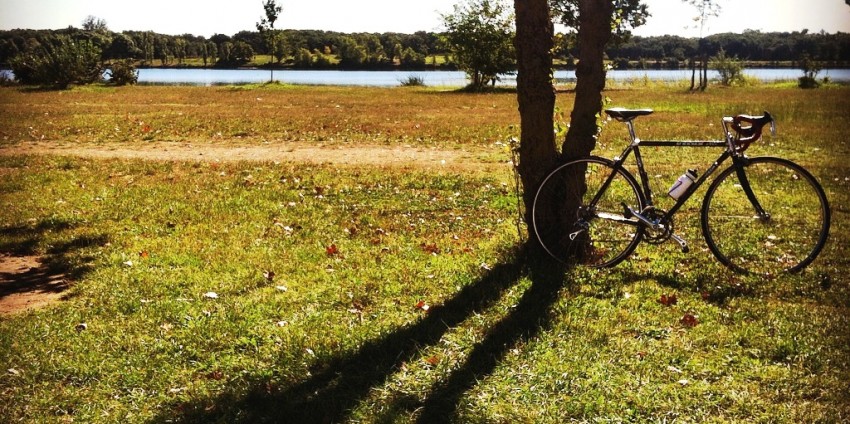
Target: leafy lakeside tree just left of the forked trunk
x=480, y=35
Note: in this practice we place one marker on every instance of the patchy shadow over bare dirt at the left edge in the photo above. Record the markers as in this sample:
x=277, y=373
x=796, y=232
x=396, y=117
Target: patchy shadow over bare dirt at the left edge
x=27, y=272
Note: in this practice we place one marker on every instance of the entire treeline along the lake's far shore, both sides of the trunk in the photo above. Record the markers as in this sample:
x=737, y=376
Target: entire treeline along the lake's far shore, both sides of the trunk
x=306, y=49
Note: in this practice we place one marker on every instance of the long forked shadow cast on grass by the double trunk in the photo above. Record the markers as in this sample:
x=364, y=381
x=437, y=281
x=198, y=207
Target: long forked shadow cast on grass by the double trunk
x=336, y=386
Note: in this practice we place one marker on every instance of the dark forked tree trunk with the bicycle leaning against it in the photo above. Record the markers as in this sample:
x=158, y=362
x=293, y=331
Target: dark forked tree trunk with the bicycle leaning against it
x=536, y=97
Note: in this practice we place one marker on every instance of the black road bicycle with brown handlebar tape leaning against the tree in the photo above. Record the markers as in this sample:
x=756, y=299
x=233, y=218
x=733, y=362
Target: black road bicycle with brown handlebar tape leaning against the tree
x=762, y=215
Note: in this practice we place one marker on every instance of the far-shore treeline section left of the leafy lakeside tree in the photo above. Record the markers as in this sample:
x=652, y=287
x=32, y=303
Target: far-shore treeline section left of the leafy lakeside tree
x=294, y=48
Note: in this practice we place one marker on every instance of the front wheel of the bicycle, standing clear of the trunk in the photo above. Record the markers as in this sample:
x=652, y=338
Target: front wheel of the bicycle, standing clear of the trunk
x=780, y=225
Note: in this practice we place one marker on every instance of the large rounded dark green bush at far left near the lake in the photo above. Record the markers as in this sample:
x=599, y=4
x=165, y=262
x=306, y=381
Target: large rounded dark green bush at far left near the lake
x=59, y=62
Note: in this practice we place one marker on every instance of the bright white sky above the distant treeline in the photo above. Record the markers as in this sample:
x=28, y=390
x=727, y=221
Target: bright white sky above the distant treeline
x=207, y=17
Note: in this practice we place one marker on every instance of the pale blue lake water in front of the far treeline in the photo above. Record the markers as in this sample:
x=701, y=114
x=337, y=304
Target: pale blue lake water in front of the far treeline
x=430, y=78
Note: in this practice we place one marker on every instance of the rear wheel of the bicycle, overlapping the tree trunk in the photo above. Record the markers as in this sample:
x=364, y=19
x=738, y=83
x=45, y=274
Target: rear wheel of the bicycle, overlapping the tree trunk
x=609, y=237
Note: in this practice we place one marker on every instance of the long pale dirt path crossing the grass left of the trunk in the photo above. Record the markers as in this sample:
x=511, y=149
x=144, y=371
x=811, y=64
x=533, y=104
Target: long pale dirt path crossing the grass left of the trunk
x=467, y=159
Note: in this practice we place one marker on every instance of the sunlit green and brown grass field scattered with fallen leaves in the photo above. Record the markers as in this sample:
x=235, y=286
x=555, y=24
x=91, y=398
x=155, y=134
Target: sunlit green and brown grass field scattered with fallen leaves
x=251, y=292
